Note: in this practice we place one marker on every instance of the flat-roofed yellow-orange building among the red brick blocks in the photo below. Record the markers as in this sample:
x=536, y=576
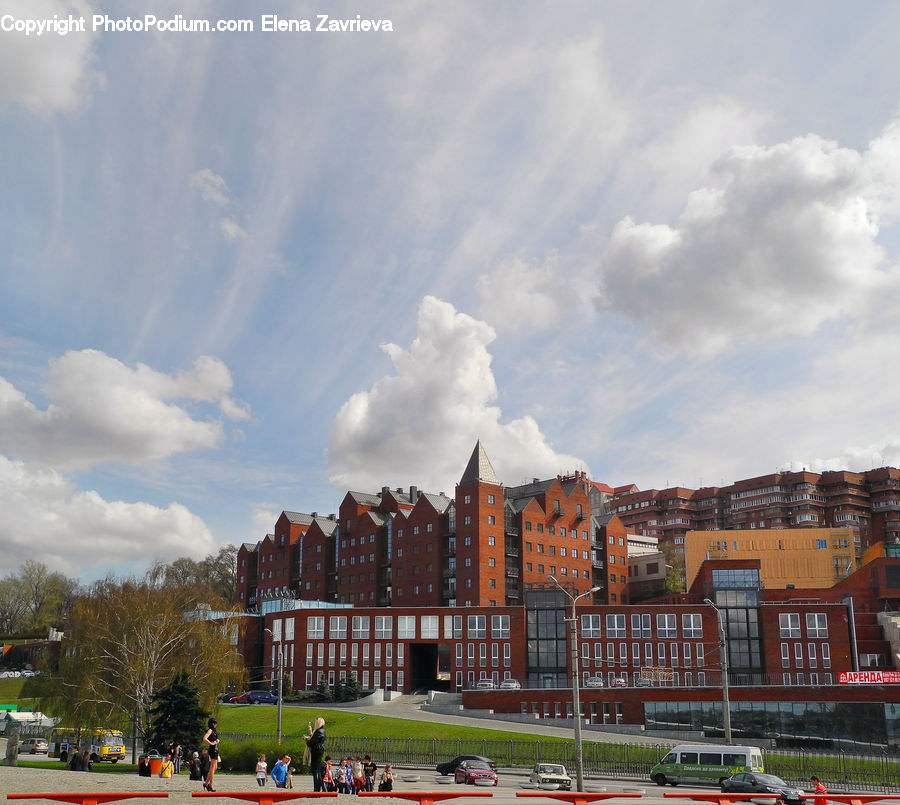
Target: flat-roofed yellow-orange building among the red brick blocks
x=802, y=557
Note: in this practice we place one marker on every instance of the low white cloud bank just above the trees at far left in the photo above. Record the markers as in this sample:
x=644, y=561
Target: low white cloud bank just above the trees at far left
x=76, y=532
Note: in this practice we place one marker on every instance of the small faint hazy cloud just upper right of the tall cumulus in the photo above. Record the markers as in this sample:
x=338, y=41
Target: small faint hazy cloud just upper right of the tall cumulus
x=520, y=295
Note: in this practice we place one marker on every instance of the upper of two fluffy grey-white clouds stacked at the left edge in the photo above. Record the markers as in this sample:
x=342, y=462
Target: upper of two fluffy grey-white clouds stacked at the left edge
x=103, y=411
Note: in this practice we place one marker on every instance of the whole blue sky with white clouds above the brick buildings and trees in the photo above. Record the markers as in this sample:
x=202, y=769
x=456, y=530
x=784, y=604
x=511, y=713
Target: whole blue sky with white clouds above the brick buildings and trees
x=243, y=272
